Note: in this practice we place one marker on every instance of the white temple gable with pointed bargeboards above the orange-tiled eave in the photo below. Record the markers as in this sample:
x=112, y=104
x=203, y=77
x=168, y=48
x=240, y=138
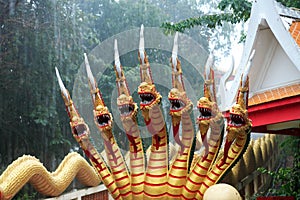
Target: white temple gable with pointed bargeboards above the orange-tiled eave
x=274, y=34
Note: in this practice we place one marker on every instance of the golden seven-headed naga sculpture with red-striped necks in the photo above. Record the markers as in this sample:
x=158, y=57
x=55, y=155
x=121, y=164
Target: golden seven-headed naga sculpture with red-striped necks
x=188, y=174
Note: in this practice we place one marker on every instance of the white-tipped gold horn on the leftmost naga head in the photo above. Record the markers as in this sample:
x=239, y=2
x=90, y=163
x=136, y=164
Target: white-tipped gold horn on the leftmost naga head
x=72, y=112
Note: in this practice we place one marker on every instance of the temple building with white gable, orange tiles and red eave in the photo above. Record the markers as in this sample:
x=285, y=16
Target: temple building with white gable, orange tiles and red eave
x=274, y=98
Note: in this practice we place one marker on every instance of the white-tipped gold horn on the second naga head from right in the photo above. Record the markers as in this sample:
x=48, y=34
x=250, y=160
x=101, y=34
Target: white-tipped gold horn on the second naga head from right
x=209, y=86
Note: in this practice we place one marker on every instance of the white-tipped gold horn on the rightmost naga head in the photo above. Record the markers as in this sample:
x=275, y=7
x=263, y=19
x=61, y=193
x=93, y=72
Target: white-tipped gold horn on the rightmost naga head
x=242, y=97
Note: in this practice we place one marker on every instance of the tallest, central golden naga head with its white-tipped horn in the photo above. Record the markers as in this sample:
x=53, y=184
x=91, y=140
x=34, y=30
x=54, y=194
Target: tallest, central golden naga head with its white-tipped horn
x=148, y=94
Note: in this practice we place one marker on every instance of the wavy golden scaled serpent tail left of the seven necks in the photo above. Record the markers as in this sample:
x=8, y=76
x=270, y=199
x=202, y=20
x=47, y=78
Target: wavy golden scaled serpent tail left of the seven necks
x=28, y=169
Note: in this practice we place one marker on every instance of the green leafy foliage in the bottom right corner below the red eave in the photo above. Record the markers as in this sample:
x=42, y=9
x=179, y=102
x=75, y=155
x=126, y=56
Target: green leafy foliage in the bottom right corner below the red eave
x=286, y=179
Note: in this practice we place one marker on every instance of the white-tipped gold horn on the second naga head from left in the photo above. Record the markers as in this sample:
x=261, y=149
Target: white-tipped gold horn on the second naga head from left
x=95, y=92
